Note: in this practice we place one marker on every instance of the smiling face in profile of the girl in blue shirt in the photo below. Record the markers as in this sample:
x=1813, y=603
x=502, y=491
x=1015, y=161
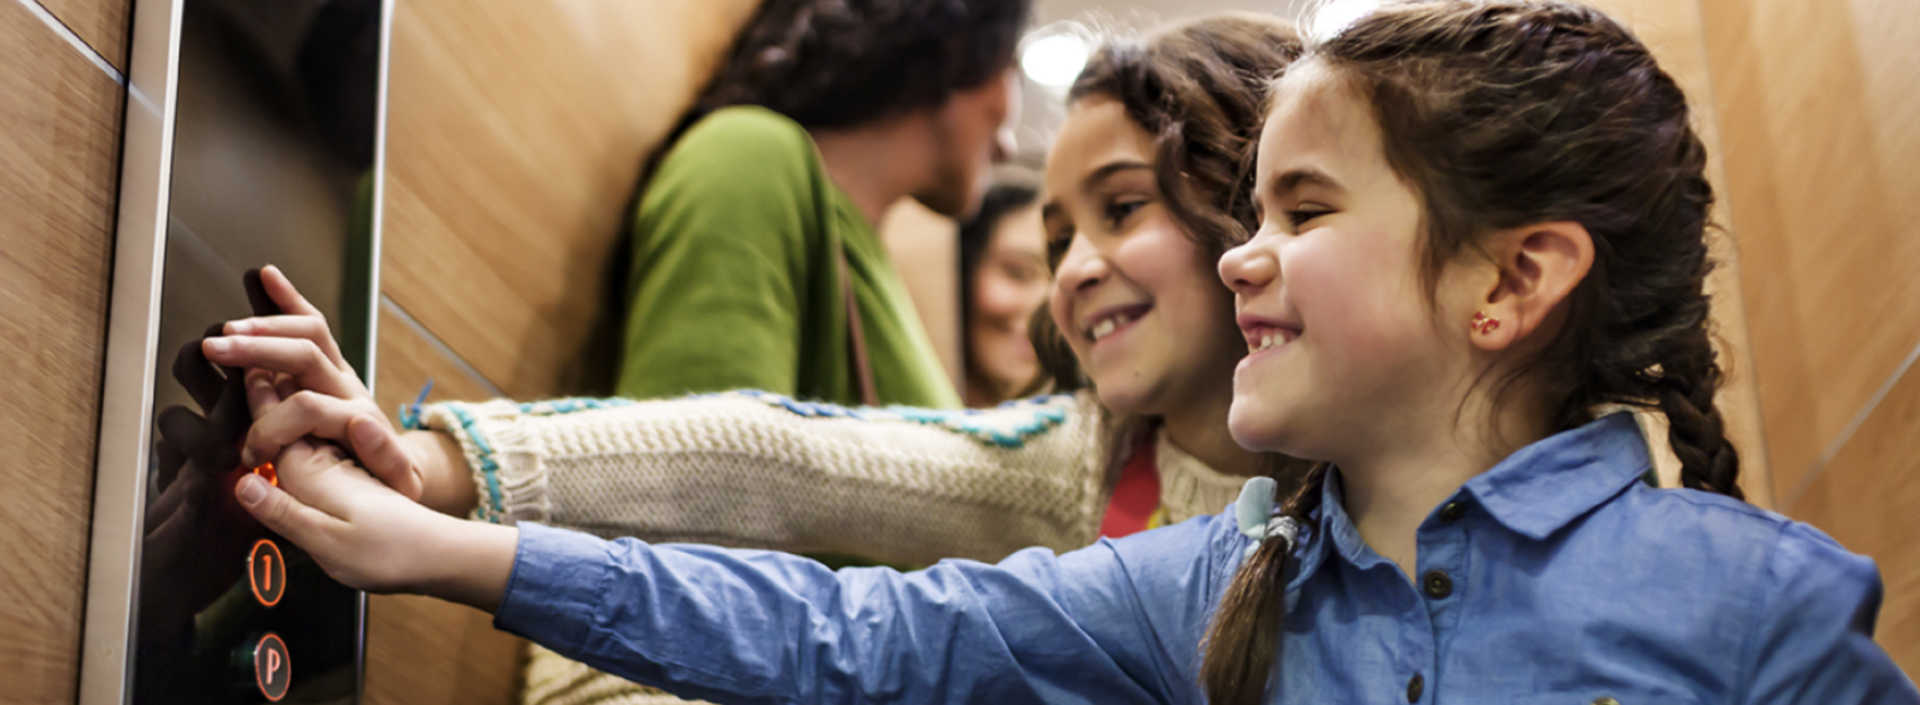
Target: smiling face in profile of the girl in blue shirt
x=1349, y=352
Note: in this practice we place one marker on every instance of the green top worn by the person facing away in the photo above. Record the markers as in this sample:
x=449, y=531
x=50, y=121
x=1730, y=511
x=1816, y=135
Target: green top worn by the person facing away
x=736, y=276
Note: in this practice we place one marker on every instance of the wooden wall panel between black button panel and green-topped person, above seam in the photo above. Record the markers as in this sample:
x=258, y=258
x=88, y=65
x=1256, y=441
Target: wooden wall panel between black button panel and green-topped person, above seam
x=517, y=134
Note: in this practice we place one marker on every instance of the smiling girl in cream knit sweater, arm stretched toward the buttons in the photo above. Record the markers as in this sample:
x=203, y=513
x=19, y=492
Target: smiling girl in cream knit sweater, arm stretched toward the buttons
x=1147, y=189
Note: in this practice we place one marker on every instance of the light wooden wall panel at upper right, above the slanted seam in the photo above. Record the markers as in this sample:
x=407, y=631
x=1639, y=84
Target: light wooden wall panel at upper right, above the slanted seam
x=1821, y=153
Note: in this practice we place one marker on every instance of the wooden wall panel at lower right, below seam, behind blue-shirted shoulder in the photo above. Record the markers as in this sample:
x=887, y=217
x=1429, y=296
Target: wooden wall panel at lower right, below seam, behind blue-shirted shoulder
x=1867, y=497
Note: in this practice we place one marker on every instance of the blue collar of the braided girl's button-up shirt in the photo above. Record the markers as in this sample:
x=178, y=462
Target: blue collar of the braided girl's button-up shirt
x=1535, y=493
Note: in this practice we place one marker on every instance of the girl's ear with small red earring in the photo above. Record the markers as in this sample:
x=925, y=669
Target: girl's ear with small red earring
x=1539, y=268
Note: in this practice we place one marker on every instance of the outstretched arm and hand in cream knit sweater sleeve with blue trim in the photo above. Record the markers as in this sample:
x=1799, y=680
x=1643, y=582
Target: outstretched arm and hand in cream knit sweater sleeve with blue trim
x=894, y=485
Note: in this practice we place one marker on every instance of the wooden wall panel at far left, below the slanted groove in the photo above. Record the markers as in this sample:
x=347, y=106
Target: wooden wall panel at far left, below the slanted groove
x=60, y=153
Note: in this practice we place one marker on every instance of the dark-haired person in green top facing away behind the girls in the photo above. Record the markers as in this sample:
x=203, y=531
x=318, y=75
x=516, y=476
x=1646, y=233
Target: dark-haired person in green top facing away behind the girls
x=757, y=262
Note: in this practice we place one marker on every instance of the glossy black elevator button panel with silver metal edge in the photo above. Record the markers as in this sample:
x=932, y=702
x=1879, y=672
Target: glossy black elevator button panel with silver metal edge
x=254, y=137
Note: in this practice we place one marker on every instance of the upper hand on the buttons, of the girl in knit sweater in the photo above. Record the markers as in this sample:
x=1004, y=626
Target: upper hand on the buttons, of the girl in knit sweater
x=295, y=360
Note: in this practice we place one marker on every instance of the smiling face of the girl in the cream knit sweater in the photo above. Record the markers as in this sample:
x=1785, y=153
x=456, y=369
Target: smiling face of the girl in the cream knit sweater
x=1134, y=295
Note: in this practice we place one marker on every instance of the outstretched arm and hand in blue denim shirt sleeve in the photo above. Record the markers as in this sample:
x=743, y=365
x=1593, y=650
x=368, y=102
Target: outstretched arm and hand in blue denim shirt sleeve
x=1116, y=623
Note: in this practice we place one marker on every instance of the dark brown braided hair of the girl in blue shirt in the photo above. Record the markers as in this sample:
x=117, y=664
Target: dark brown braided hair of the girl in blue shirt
x=1504, y=114
